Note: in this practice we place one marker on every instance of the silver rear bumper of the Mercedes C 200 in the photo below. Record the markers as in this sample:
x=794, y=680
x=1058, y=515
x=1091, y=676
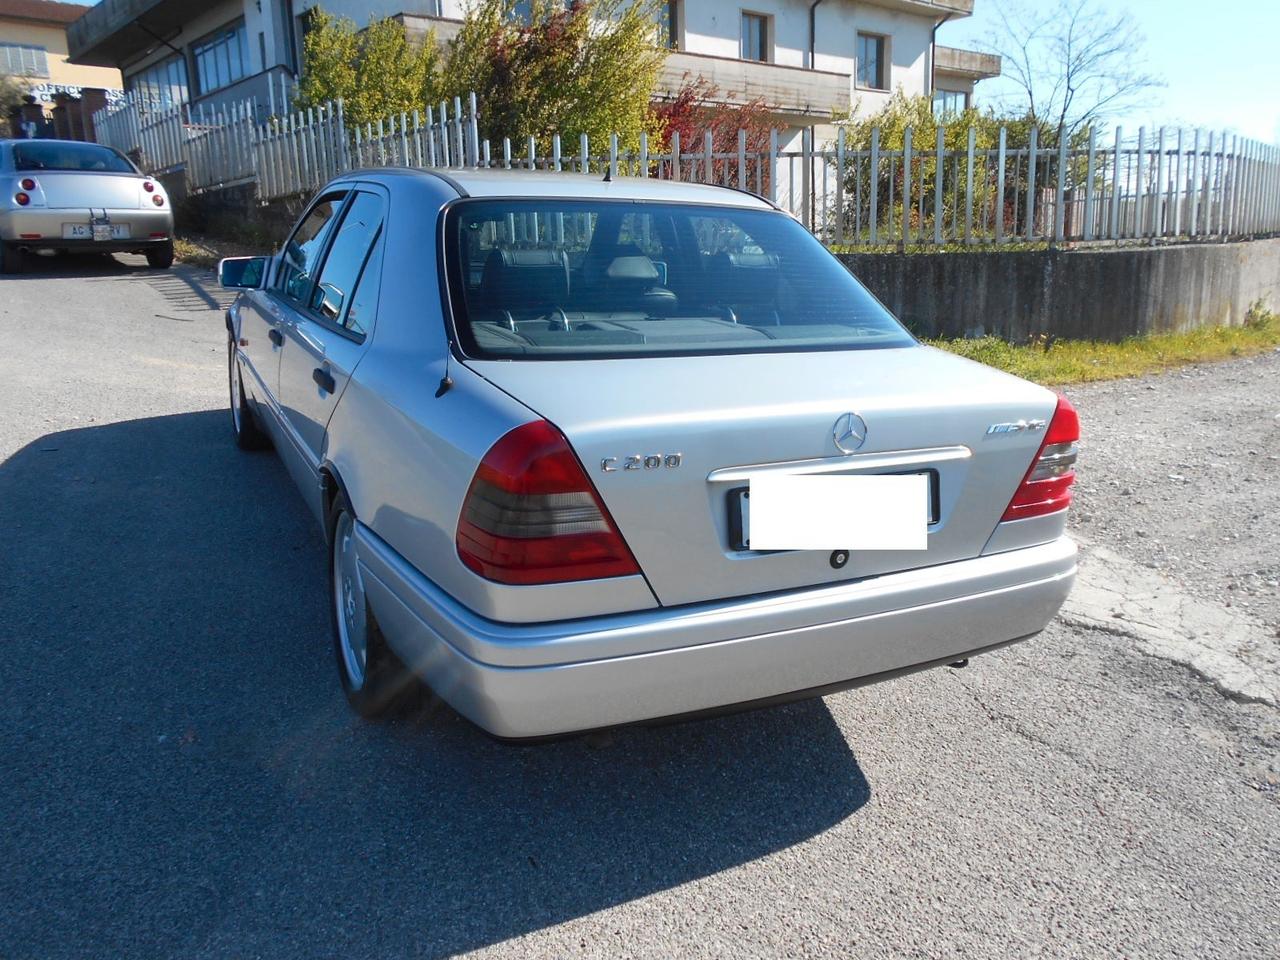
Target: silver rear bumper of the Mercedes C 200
x=547, y=679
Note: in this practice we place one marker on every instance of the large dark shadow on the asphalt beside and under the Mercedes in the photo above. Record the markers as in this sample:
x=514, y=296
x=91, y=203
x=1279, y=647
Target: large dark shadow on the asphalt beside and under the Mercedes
x=185, y=779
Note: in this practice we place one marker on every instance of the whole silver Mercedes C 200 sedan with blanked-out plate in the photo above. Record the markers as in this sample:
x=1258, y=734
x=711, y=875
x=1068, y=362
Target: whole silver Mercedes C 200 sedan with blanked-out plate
x=591, y=454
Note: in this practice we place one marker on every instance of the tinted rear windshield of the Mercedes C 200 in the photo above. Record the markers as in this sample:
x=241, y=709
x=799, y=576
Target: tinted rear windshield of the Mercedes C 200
x=554, y=280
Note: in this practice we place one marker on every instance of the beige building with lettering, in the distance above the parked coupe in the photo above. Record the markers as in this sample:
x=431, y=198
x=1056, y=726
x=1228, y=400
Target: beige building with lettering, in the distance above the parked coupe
x=34, y=48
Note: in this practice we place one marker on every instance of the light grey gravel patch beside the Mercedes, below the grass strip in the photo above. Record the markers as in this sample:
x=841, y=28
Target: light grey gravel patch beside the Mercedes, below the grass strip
x=1182, y=473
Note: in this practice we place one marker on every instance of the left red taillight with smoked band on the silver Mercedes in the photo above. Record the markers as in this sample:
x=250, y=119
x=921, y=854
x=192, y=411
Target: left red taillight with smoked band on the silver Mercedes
x=532, y=516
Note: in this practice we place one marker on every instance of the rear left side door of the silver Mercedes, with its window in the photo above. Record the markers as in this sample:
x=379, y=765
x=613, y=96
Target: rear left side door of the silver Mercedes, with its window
x=326, y=333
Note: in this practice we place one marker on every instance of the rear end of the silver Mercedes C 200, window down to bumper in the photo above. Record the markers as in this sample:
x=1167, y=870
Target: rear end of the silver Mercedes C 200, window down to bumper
x=664, y=358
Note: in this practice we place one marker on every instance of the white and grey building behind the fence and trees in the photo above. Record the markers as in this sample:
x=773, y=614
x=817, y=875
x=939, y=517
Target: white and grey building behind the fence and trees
x=807, y=58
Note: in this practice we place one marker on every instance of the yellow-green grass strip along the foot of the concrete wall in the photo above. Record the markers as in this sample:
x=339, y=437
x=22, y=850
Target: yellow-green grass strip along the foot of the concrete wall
x=1081, y=362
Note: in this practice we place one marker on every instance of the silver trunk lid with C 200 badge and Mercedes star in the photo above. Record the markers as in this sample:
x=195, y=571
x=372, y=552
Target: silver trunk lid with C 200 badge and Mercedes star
x=732, y=418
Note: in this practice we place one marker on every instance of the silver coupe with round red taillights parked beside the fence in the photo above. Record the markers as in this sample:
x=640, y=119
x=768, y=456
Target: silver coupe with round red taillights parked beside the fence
x=65, y=195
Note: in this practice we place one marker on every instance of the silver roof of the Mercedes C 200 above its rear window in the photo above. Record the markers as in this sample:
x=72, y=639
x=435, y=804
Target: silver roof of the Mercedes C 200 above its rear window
x=572, y=186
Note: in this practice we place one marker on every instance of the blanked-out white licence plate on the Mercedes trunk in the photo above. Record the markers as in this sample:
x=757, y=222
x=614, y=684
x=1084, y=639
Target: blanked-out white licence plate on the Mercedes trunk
x=816, y=513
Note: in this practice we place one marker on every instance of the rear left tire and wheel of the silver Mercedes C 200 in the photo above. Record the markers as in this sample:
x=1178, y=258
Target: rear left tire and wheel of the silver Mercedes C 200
x=373, y=678
